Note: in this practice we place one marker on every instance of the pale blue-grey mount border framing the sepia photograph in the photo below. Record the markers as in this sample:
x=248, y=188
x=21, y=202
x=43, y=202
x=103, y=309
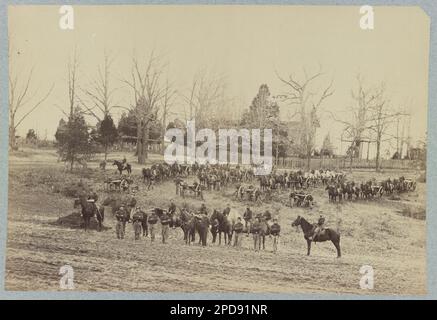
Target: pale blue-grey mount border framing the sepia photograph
x=430, y=9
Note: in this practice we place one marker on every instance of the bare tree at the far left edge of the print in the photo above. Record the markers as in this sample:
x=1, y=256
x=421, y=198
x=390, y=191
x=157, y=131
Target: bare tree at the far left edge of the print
x=22, y=99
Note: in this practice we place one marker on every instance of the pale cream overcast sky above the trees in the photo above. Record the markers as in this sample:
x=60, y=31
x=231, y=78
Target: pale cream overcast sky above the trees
x=246, y=44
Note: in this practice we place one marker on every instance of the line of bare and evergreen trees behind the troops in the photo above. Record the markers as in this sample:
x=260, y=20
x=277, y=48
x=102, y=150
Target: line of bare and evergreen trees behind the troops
x=154, y=99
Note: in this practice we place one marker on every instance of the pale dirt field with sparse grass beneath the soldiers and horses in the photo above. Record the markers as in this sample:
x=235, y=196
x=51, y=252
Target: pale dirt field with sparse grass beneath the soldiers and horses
x=378, y=233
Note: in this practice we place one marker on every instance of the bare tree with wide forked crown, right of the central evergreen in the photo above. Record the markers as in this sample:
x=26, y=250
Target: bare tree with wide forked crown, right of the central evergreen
x=305, y=96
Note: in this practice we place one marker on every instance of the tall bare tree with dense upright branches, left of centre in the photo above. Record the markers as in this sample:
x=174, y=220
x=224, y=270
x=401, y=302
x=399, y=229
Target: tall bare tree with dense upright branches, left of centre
x=148, y=93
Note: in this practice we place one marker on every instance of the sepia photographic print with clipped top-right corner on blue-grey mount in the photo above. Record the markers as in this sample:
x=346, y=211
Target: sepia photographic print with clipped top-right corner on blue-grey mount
x=217, y=149
